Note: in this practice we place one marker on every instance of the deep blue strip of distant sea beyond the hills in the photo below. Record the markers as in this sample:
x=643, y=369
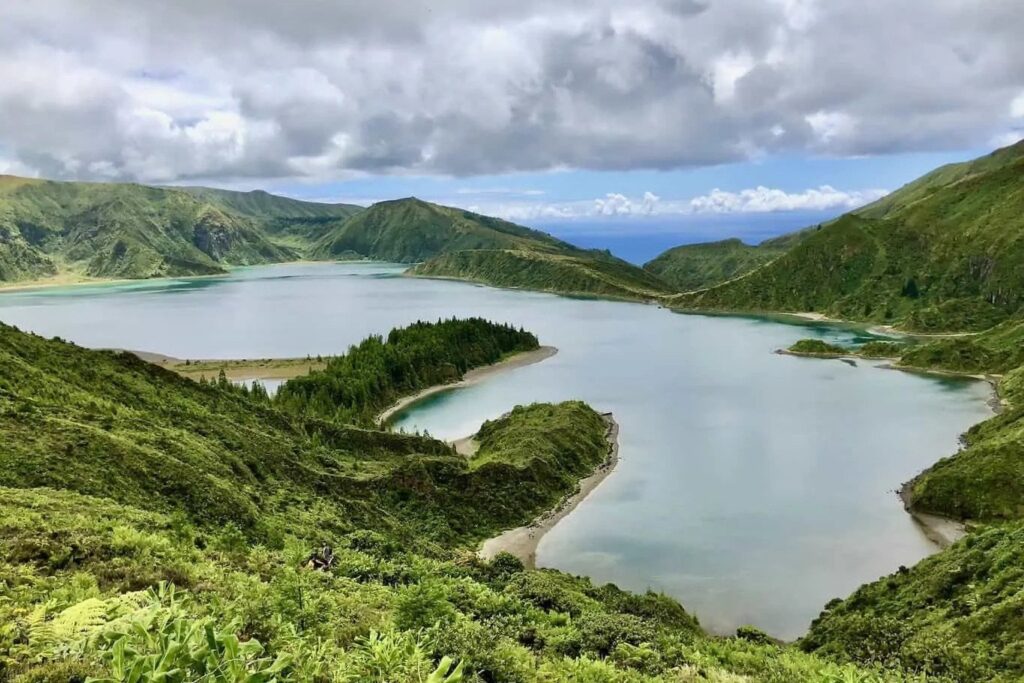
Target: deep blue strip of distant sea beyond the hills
x=638, y=240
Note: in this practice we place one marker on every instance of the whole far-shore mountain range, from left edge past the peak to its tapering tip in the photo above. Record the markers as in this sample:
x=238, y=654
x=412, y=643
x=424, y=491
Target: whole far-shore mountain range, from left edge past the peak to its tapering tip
x=127, y=231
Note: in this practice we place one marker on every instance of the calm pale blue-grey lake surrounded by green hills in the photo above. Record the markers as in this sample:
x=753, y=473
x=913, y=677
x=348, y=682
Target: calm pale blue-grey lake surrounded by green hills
x=752, y=487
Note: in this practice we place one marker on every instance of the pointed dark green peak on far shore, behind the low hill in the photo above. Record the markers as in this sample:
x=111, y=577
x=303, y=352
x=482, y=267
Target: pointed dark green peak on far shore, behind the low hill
x=410, y=231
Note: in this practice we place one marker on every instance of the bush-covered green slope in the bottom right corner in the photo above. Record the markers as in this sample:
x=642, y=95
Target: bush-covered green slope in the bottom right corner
x=957, y=615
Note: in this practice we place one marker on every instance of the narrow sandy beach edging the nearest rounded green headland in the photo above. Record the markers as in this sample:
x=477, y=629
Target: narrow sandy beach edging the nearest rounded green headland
x=523, y=541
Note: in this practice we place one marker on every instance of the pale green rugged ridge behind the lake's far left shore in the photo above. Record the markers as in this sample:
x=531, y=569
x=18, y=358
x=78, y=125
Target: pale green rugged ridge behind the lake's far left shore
x=131, y=231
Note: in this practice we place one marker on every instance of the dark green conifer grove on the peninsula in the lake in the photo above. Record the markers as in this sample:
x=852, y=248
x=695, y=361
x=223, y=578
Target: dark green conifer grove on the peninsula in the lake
x=373, y=375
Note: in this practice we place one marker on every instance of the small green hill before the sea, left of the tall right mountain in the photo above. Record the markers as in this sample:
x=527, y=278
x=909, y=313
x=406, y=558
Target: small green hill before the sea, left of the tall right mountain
x=698, y=267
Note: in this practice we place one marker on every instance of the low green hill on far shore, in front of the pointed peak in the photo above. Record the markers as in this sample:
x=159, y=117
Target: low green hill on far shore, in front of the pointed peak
x=580, y=273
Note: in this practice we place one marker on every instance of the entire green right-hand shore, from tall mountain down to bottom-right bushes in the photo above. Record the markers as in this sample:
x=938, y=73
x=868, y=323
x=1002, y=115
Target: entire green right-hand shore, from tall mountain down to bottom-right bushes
x=955, y=240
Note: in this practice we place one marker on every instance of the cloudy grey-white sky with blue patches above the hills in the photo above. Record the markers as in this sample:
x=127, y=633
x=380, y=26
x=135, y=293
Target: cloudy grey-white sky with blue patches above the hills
x=548, y=112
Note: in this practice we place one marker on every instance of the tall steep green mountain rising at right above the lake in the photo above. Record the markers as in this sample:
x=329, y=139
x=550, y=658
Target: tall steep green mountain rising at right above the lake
x=945, y=252
